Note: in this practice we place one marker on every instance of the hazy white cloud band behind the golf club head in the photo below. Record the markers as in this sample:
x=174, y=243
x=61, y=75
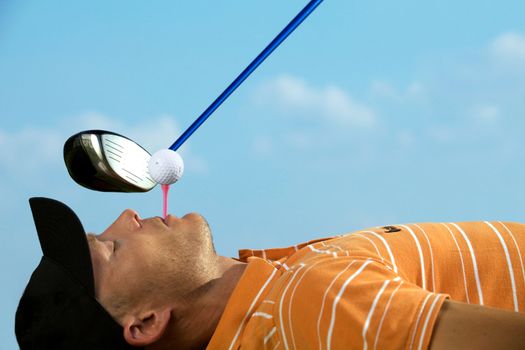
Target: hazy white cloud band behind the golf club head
x=27, y=151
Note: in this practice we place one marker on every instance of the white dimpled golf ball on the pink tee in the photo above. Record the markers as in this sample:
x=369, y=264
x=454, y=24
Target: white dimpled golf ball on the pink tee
x=166, y=167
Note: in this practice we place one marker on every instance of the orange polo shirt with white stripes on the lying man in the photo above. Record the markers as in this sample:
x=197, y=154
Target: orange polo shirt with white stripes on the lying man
x=380, y=288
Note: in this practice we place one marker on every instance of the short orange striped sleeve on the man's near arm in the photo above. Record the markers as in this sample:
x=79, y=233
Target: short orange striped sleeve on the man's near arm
x=349, y=303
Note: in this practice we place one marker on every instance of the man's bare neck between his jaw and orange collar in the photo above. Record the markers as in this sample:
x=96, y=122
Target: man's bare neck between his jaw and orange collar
x=203, y=308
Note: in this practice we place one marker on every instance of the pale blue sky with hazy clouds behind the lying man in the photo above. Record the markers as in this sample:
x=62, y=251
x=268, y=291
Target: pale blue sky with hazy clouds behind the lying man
x=371, y=113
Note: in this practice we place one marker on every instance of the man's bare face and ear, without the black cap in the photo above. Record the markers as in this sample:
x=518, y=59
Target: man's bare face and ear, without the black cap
x=145, y=268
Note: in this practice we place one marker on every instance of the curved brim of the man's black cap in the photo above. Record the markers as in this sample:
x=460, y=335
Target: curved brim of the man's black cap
x=63, y=239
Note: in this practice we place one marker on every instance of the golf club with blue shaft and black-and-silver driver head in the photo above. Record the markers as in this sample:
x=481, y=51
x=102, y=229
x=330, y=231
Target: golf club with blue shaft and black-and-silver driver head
x=91, y=156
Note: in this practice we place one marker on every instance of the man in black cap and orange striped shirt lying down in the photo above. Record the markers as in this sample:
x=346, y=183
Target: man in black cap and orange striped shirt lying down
x=393, y=287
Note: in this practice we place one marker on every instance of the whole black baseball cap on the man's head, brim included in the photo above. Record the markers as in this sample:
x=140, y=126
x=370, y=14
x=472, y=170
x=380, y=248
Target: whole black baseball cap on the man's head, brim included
x=58, y=309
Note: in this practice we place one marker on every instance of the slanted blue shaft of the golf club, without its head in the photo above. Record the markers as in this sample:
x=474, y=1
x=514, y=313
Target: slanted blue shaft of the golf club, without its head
x=246, y=72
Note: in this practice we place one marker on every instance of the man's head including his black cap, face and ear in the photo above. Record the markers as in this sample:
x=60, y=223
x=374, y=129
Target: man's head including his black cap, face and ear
x=139, y=270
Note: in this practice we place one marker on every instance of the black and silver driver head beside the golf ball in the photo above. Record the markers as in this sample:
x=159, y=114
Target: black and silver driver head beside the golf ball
x=105, y=161
